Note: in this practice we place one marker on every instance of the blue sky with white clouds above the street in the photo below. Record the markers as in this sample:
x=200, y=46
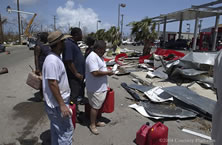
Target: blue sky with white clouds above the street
x=70, y=12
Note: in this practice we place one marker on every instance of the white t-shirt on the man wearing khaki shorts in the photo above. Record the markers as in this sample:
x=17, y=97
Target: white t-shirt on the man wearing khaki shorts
x=95, y=63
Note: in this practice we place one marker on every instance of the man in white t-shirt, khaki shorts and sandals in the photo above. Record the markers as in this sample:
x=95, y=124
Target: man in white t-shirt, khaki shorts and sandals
x=96, y=82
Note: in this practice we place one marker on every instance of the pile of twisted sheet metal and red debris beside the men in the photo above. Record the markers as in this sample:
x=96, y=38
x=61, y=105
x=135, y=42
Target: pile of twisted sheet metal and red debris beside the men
x=168, y=102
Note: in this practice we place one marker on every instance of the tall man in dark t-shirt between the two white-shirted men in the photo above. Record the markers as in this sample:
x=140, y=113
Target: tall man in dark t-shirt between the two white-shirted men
x=75, y=65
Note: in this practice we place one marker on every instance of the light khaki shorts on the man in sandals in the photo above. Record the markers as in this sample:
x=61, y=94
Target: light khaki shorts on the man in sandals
x=96, y=99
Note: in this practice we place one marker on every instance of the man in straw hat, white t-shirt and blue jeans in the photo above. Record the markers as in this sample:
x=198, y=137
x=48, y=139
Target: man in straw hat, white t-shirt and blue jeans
x=56, y=92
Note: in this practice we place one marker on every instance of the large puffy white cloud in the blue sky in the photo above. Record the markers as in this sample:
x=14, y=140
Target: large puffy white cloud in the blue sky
x=70, y=16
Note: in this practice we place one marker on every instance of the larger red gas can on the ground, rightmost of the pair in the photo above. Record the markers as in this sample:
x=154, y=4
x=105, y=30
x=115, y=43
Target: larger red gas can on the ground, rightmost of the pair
x=158, y=134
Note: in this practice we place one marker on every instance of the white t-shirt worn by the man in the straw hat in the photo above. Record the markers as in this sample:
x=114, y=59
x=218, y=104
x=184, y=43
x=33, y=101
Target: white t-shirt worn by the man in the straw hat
x=53, y=68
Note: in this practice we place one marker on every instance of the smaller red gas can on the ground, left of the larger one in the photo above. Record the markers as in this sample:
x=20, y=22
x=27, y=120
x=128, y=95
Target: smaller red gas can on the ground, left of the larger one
x=141, y=135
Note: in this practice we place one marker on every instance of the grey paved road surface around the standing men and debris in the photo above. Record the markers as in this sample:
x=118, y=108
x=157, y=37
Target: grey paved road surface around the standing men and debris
x=23, y=121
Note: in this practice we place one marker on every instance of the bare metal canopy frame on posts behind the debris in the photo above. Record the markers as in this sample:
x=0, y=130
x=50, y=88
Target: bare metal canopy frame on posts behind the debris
x=193, y=13
